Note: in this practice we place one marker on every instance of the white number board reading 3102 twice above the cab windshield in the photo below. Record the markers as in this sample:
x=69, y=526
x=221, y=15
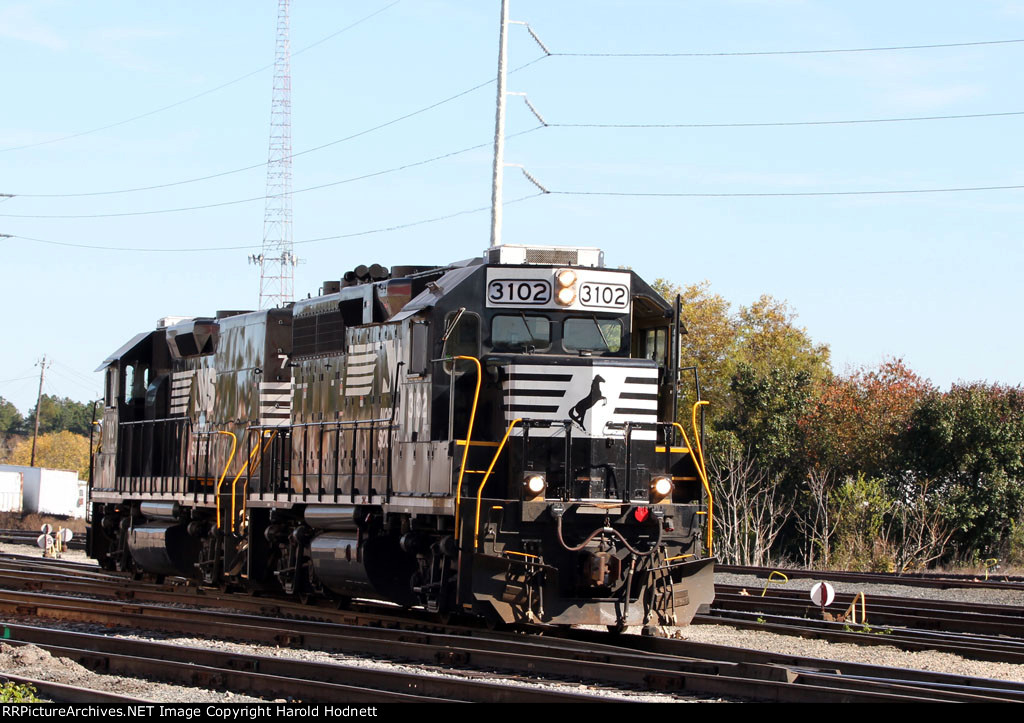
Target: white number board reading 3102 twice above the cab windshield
x=536, y=288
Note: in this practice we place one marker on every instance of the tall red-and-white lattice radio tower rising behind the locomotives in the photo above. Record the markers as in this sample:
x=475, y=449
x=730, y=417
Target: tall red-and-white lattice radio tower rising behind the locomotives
x=277, y=263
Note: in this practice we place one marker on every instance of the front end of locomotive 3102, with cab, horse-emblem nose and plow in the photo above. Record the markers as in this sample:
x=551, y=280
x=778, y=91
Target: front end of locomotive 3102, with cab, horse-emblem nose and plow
x=579, y=502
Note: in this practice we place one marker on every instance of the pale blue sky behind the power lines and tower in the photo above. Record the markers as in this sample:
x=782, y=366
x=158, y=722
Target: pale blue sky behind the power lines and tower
x=932, y=278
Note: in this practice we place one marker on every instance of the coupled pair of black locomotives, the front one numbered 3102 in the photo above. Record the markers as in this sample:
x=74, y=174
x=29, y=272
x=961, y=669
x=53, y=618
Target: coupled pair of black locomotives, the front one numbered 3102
x=496, y=437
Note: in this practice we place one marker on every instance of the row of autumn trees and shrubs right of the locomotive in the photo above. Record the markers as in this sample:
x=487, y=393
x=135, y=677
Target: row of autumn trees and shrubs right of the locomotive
x=944, y=473
